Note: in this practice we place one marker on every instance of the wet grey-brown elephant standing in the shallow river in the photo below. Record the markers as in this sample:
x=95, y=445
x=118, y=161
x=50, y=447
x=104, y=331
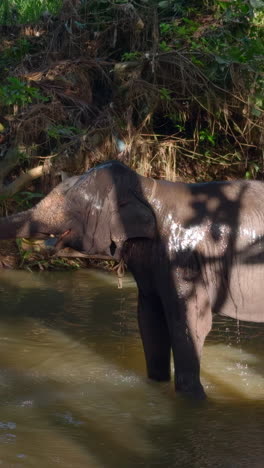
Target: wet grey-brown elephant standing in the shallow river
x=194, y=249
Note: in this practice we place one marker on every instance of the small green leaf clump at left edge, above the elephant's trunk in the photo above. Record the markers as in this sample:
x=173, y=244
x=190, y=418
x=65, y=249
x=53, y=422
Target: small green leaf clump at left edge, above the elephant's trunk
x=17, y=92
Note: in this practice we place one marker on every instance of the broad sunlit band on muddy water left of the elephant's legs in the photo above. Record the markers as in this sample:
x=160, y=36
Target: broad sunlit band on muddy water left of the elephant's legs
x=65, y=382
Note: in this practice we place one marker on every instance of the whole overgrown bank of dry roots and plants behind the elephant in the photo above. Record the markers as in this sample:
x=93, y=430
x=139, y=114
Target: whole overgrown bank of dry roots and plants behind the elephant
x=174, y=90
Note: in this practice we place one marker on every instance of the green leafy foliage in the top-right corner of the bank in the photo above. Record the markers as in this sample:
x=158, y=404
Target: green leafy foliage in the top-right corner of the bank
x=236, y=36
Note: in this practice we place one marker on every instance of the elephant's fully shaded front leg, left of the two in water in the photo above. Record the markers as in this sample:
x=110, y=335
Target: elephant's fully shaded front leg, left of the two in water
x=155, y=337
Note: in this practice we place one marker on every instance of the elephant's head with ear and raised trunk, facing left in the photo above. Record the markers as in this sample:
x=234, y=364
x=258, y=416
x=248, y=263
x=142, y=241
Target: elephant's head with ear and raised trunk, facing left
x=95, y=212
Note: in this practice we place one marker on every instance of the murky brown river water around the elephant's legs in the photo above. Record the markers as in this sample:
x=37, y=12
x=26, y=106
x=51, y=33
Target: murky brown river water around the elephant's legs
x=73, y=391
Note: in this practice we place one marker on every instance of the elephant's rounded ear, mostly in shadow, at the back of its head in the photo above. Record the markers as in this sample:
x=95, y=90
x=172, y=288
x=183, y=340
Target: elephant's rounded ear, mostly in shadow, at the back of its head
x=134, y=219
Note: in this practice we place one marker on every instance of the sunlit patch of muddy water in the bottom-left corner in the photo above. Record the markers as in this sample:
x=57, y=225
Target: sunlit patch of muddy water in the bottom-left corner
x=32, y=440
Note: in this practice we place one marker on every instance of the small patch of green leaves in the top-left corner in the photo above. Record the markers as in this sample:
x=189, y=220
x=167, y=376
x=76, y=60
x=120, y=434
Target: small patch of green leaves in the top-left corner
x=26, y=11
